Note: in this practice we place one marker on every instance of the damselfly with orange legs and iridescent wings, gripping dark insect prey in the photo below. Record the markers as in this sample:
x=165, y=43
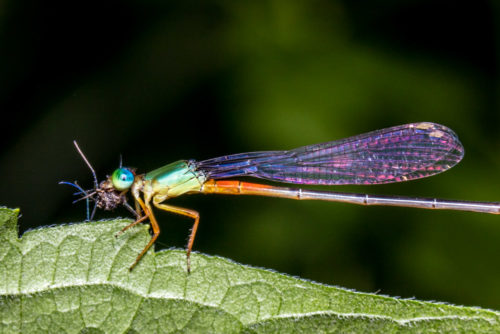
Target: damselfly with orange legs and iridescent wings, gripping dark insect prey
x=396, y=154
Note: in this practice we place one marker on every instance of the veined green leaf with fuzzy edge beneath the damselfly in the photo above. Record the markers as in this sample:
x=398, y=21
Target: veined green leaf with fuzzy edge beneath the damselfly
x=75, y=278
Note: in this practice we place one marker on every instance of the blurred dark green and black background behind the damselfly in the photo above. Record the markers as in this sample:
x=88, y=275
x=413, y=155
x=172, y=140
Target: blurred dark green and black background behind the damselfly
x=159, y=81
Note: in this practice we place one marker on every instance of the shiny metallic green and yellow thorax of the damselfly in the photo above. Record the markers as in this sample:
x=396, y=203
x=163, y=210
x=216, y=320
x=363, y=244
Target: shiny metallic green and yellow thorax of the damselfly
x=175, y=179
